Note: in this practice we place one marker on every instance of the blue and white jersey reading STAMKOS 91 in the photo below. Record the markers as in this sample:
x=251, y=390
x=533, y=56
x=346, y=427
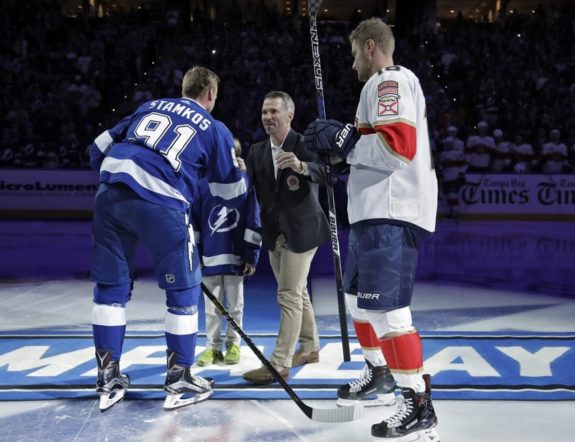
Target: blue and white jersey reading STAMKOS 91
x=160, y=150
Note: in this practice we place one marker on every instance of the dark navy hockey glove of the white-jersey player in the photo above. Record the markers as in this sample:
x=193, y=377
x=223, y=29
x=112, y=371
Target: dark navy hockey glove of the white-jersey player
x=331, y=136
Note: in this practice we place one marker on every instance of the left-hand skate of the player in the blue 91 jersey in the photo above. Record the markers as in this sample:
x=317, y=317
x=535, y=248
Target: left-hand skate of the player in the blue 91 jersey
x=111, y=384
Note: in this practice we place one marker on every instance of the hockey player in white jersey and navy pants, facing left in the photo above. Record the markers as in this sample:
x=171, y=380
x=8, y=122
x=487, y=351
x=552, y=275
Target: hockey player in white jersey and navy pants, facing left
x=392, y=205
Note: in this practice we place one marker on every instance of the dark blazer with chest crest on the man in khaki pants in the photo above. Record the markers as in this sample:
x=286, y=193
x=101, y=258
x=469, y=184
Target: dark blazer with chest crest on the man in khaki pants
x=289, y=204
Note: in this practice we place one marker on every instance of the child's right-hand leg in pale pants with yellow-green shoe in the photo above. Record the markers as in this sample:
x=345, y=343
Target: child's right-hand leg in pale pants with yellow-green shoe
x=234, y=288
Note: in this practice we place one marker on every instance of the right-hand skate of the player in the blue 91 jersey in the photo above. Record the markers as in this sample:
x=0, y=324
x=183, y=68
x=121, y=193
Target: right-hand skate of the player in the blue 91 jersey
x=183, y=387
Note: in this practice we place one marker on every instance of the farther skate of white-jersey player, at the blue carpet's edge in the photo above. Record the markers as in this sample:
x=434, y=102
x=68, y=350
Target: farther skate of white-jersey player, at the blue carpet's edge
x=374, y=387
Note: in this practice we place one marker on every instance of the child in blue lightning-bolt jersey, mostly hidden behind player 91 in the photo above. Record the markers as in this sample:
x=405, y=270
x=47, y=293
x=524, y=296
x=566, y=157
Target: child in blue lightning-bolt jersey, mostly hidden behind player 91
x=229, y=241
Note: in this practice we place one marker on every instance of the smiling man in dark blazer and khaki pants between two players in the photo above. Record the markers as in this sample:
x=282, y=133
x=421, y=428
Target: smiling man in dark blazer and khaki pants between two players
x=286, y=179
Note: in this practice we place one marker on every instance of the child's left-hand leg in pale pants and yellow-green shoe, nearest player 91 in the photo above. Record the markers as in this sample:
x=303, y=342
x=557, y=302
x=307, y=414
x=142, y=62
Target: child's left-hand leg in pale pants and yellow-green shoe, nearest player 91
x=213, y=352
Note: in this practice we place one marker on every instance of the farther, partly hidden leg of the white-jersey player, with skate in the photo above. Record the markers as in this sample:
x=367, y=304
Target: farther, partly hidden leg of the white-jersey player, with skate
x=375, y=385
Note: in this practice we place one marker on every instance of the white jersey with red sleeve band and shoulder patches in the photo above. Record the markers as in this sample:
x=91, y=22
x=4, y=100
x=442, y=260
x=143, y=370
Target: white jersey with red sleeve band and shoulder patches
x=392, y=175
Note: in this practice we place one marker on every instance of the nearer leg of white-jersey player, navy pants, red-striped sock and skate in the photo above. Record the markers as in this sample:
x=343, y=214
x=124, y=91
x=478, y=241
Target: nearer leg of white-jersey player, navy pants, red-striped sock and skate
x=385, y=286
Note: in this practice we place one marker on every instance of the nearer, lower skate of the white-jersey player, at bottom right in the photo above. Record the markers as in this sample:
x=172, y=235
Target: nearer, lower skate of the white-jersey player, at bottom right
x=415, y=414
